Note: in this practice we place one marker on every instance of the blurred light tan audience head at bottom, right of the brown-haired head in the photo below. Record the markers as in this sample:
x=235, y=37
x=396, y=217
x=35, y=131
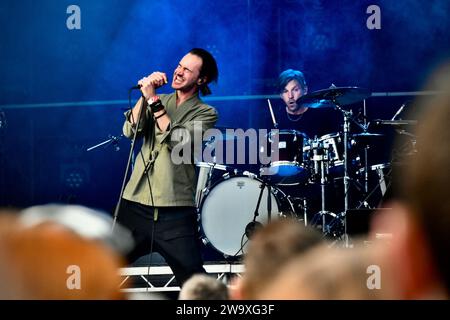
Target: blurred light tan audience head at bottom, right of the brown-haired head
x=326, y=273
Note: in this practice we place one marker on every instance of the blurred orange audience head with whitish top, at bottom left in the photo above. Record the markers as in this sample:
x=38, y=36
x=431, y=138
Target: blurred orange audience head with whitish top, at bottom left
x=62, y=252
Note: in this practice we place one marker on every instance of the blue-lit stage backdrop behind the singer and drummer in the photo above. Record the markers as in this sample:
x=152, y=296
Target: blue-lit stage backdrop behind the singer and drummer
x=65, y=73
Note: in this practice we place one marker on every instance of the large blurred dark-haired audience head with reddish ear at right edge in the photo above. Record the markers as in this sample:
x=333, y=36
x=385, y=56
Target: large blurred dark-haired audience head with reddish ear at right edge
x=420, y=215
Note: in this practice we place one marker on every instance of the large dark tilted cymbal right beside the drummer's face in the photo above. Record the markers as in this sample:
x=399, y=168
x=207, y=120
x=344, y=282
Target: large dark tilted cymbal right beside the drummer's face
x=341, y=96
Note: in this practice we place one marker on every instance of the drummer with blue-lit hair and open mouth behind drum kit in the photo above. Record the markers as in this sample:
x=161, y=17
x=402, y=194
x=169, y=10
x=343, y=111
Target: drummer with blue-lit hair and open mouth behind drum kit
x=291, y=85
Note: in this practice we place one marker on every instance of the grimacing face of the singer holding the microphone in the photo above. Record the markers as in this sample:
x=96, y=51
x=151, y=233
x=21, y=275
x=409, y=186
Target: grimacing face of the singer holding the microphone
x=186, y=74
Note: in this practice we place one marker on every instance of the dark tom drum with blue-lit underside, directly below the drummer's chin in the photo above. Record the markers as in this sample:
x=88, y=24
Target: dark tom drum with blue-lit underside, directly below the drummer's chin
x=289, y=167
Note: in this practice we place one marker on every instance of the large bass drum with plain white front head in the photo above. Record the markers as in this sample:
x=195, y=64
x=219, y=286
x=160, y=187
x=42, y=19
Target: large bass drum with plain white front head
x=228, y=210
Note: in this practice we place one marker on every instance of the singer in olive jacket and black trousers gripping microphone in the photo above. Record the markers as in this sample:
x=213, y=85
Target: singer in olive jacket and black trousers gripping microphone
x=158, y=201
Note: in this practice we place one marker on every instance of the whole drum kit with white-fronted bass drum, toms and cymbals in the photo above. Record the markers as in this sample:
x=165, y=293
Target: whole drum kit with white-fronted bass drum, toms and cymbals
x=233, y=203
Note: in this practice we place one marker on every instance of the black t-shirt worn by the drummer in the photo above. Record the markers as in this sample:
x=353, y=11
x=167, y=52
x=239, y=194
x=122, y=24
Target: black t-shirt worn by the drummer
x=313, y=122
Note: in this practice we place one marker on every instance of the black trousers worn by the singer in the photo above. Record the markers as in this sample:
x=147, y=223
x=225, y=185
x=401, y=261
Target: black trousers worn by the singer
x=175, y=236
